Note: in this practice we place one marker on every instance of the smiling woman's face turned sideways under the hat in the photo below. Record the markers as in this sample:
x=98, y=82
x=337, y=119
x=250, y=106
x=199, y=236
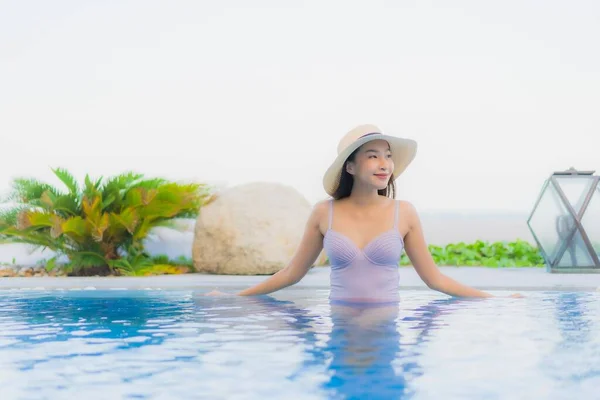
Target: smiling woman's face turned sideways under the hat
x=372, y=164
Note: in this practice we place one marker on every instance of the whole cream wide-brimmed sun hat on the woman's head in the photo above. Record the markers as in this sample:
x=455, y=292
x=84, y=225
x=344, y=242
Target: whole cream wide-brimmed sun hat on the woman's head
x=403, y=152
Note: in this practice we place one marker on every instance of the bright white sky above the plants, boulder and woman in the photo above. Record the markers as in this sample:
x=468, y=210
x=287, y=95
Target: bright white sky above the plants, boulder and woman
x=498, y=94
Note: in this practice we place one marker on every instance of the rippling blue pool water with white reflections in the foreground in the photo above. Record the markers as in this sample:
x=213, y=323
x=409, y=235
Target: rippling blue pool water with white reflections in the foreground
x=155, y=344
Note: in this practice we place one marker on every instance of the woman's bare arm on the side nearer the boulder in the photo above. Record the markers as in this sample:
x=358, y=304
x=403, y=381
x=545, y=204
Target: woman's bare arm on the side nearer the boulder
x=306, y=254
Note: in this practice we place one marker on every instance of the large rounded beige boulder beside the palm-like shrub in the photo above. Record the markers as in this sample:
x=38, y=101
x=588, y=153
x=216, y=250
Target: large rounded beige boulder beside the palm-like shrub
x=250, y=229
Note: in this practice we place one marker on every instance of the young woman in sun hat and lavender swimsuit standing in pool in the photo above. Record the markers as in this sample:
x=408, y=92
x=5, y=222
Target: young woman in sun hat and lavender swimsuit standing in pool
x=362, y=228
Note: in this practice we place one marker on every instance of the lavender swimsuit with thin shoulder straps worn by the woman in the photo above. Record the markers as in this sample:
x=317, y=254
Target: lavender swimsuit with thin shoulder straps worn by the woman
x=369, y=274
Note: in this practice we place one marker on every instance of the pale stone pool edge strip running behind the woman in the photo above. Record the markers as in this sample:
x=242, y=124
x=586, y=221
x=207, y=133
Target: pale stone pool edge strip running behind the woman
x=521, y=279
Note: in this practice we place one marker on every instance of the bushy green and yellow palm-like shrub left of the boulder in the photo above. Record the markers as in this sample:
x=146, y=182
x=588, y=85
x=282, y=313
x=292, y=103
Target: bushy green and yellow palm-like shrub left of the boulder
x=99, y=225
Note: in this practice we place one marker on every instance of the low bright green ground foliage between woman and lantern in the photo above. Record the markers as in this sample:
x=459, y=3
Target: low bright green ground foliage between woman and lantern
x=498, y=254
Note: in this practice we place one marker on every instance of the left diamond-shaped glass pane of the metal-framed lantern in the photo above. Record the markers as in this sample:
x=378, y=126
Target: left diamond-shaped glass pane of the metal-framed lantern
x=550, y=222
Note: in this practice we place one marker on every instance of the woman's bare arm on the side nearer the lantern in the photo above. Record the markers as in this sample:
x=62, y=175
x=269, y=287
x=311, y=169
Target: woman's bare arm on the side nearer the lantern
x=417, y=251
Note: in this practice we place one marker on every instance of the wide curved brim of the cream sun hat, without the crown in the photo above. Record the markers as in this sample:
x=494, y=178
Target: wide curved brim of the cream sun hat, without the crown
x=403, y=152
